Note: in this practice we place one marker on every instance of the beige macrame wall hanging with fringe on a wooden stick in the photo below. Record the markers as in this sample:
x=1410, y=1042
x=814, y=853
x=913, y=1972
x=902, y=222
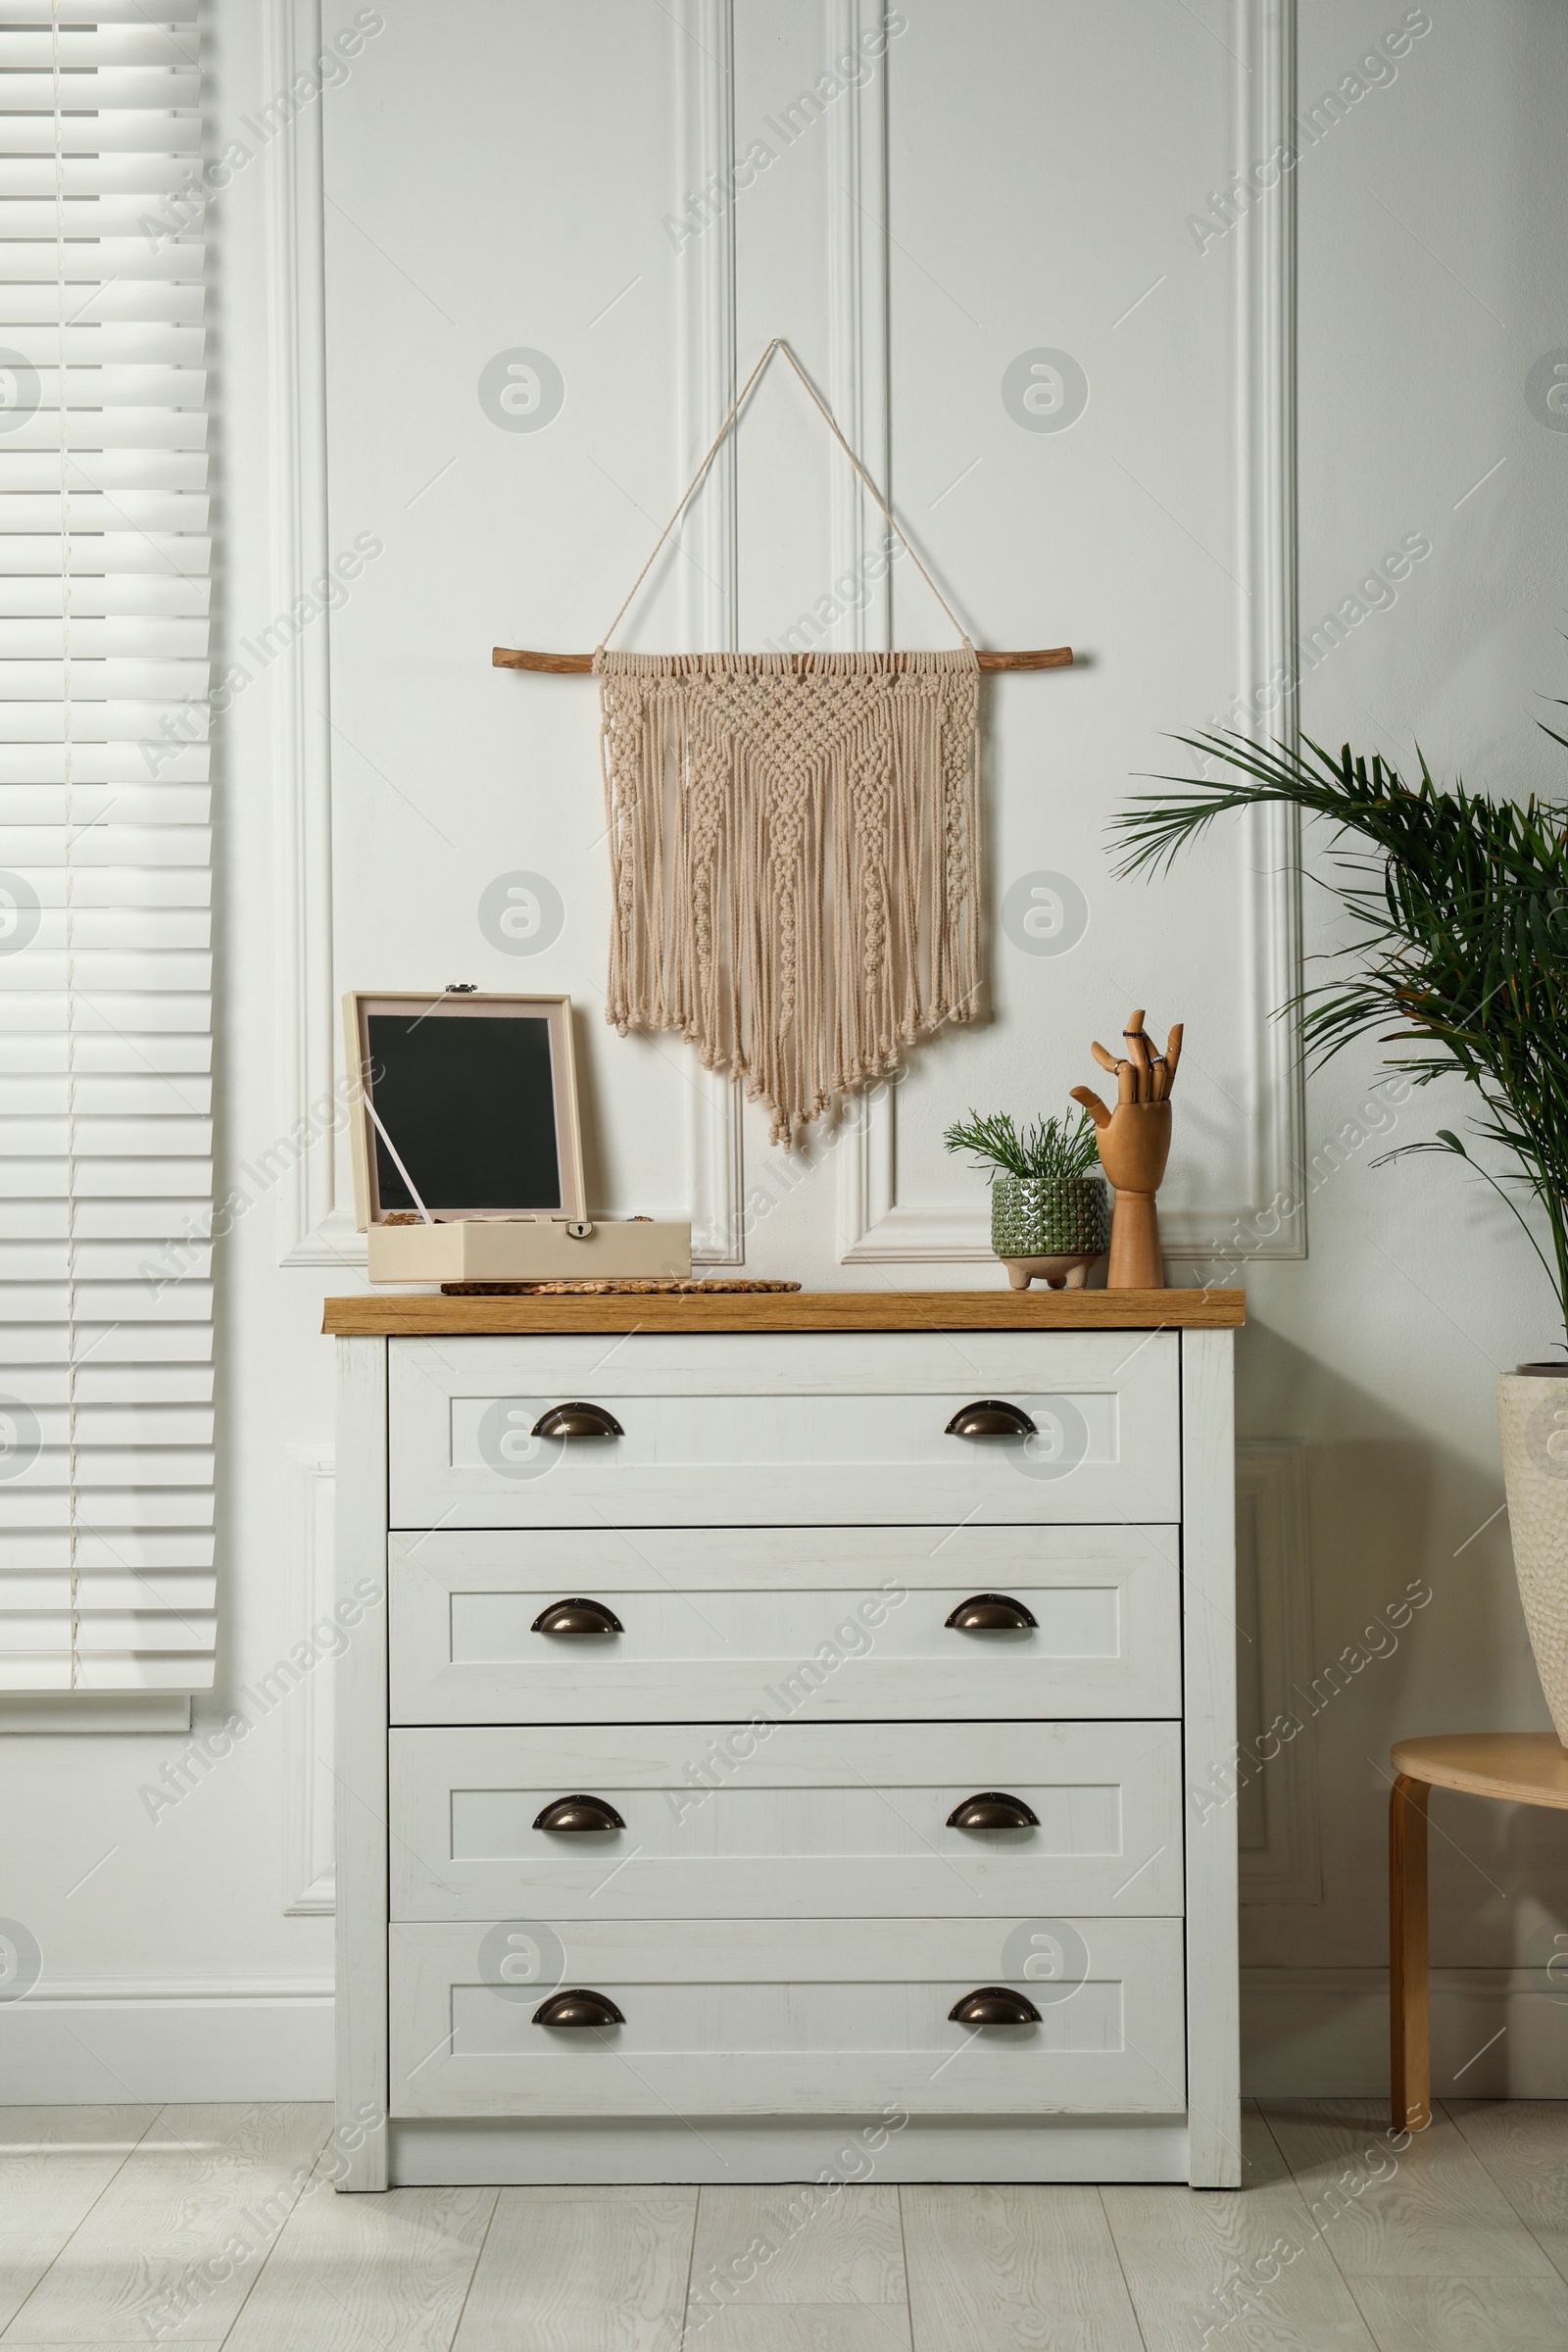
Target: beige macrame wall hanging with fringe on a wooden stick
x=796, y=843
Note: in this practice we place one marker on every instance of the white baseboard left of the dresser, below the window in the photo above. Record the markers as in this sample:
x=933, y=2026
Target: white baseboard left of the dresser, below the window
x=116, y=2043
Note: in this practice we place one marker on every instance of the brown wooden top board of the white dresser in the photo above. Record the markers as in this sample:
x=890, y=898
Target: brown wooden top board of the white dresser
x=431, y=1316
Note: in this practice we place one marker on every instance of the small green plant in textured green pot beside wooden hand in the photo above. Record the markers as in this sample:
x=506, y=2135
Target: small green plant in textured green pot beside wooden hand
x=1050, y=1212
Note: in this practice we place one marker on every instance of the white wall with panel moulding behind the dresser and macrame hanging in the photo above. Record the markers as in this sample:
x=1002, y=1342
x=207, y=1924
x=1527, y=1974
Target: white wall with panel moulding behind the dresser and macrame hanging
x=497, y=180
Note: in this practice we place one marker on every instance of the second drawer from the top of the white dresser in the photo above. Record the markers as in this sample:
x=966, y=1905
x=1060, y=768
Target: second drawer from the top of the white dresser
x=728, y=1624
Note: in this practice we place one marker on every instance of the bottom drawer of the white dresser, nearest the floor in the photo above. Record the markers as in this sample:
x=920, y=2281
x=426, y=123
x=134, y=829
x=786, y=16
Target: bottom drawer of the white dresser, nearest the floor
x=789, y=2017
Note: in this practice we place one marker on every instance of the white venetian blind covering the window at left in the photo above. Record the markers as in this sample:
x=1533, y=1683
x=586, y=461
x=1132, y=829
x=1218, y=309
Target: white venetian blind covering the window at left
x=107, y=1577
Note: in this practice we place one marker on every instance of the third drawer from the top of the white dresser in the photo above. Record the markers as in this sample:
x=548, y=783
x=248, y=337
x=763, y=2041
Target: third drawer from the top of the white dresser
x=709, y=1822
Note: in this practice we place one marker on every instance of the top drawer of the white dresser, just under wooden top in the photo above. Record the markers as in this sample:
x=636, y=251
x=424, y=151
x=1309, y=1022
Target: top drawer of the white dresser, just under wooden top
x=784, y=1431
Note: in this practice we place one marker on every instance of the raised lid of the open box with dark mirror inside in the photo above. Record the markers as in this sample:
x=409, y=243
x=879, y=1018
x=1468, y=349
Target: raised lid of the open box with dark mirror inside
x=464, y=1102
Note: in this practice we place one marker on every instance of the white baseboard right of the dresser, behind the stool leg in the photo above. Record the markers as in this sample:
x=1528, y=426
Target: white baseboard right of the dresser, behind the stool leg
x=1325, y=2033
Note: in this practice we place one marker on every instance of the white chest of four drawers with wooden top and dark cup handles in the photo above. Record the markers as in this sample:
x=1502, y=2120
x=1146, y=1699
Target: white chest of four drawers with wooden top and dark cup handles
x=859, y=1716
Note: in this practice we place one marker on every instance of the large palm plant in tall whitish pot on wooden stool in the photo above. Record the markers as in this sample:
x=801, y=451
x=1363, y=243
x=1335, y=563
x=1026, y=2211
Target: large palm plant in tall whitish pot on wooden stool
x=1459, y=965
